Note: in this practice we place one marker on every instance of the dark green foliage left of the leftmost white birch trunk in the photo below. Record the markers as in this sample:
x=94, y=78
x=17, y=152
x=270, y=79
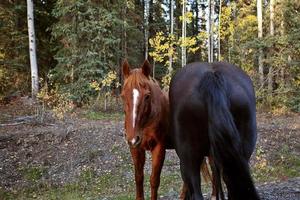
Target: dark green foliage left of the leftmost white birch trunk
x=13, y=48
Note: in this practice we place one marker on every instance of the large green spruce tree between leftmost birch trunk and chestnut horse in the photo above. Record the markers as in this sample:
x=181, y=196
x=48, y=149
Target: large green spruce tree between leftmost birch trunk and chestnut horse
x=85, y=31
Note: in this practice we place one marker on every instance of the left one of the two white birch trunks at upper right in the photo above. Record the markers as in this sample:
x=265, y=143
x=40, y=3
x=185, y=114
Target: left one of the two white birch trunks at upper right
x=260, y=34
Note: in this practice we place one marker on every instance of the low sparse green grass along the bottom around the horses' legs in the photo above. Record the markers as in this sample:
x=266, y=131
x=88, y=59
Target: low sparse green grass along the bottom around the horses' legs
x=111, y=186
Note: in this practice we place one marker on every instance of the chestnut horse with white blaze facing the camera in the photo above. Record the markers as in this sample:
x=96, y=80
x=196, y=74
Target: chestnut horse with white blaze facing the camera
x=146, y=123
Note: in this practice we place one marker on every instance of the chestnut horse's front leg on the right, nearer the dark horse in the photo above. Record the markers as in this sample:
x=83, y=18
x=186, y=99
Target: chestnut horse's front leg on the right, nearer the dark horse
x=158, y=157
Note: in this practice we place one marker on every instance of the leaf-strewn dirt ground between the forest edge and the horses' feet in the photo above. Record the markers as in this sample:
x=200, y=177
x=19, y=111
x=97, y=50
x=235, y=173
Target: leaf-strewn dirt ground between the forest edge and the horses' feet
x=58, y=153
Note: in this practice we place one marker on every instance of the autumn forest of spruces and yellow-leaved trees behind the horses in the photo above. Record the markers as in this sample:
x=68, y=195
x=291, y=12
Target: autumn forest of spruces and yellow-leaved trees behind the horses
x=80, y=45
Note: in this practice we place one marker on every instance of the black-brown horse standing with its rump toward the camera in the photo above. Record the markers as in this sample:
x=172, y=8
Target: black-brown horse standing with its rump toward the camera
x=213, y=114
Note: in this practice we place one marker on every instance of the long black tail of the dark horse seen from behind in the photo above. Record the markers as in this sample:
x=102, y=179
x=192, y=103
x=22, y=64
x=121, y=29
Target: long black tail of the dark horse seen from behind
x=225, y=142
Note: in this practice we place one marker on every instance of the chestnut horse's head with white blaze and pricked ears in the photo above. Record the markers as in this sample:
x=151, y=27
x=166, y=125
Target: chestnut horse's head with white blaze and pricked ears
x=137, y=98
